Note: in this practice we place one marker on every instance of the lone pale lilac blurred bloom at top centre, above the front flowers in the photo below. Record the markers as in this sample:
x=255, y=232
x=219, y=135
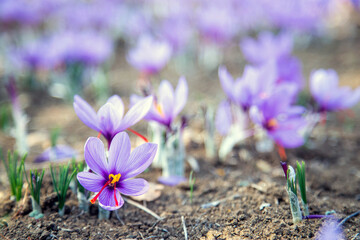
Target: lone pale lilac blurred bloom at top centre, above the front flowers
x=150, y=55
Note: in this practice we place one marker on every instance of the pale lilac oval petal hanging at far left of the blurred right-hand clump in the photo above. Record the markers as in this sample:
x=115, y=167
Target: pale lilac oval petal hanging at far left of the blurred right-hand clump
x=223, y=118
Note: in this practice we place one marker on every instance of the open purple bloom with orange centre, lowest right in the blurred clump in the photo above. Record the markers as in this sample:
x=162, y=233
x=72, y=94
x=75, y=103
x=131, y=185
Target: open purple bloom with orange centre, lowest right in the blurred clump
x=282, y=122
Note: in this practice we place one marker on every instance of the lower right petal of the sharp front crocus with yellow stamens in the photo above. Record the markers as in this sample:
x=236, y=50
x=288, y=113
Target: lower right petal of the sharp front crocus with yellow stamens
x=134, y=187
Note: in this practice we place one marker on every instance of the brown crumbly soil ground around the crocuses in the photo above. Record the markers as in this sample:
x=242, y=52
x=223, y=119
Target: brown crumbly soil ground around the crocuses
x=249, y=186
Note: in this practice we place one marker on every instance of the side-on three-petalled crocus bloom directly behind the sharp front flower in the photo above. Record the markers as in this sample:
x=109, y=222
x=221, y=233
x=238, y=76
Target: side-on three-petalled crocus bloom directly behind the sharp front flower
x=110, y=119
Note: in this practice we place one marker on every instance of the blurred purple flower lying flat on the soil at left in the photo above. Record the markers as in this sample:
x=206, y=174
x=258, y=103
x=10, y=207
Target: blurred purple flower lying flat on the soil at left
x=58, y=152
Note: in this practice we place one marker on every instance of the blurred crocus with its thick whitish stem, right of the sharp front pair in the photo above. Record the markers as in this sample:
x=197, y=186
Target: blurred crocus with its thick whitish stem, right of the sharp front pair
x=167, y=104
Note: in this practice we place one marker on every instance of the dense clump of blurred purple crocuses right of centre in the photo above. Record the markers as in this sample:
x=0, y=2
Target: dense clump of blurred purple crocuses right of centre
x=264, y=94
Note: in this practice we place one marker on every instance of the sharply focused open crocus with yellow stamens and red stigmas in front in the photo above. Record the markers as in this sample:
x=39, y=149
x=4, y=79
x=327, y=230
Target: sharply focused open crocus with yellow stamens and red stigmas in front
x=112, y=176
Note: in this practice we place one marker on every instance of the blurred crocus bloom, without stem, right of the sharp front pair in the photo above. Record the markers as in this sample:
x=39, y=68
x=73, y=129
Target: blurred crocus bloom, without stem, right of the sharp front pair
x=167, y=104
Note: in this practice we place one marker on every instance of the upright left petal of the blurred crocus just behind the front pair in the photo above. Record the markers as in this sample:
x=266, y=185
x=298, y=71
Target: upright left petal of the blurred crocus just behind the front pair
x=166, y=99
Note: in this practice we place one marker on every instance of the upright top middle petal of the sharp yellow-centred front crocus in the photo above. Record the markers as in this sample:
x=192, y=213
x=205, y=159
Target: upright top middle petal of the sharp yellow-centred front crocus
x=120, y=149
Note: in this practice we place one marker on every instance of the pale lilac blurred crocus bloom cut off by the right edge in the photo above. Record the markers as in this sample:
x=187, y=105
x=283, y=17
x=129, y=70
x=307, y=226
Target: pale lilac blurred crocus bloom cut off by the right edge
x=328, y=95
